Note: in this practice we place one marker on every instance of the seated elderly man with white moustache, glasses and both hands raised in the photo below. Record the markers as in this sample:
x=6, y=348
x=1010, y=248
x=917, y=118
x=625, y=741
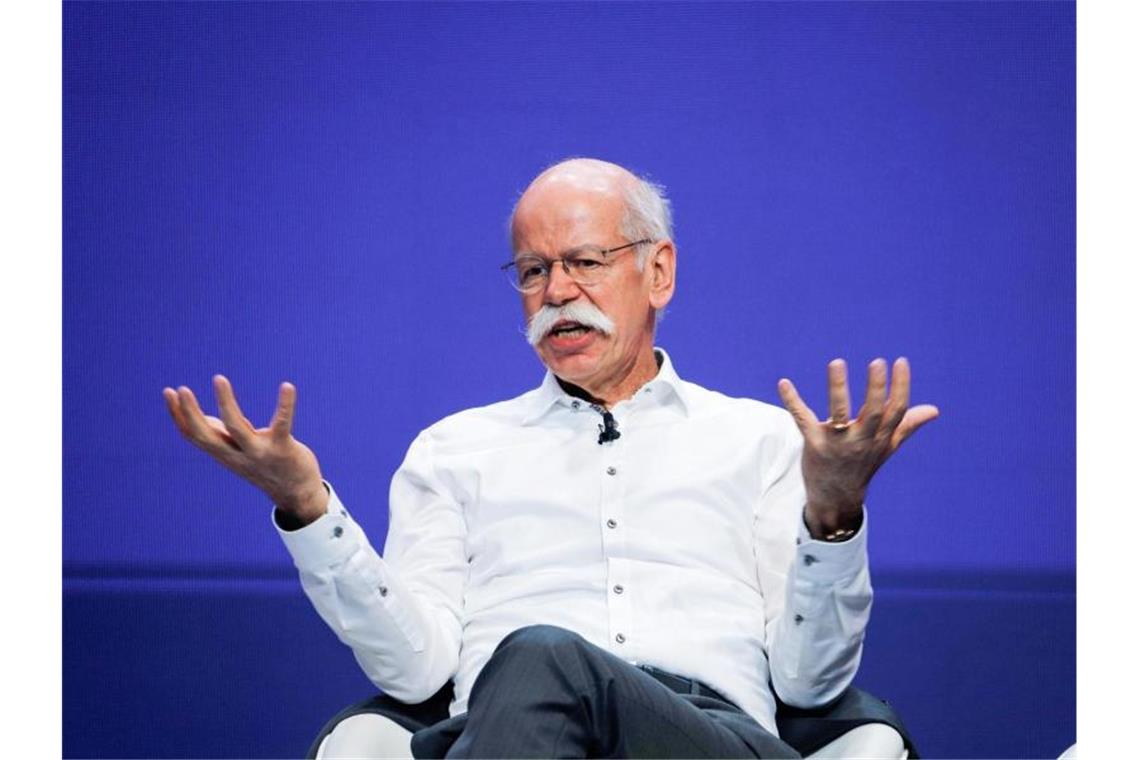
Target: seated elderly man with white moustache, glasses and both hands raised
x=618, y=563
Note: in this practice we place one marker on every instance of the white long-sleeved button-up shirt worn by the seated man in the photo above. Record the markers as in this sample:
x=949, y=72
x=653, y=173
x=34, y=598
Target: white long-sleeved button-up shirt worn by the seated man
x=681, y=545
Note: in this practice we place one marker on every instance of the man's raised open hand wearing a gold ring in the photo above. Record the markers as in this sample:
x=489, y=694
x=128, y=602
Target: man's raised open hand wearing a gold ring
x=841, y=454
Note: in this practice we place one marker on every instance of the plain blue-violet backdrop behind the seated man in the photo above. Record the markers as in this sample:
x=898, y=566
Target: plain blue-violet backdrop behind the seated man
x=319, y=193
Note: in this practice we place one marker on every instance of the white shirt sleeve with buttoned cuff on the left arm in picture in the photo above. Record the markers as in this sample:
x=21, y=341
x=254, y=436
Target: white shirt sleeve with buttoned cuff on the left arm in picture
x=401, y=615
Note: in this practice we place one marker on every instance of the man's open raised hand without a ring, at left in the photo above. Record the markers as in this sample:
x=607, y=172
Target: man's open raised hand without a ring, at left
x=268, y=457
